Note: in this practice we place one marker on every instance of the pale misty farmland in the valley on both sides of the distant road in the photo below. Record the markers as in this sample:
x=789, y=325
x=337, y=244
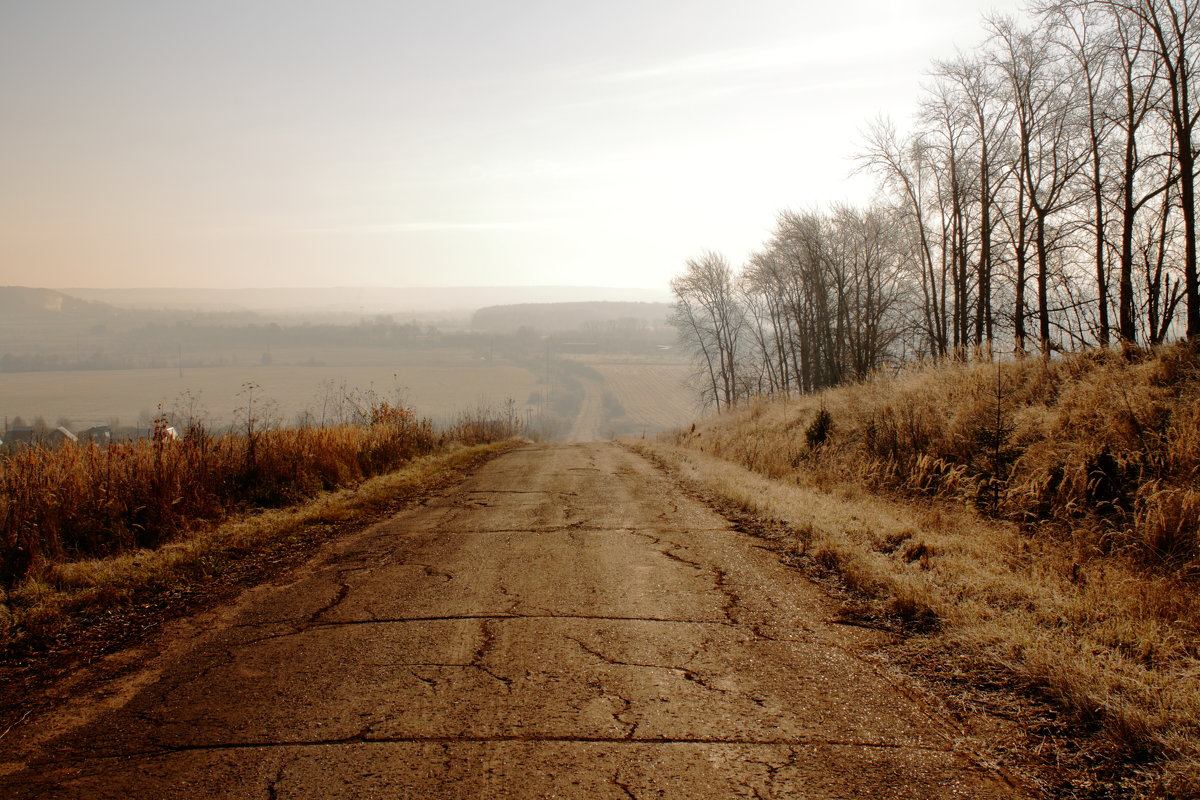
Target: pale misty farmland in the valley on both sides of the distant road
x=641, y=394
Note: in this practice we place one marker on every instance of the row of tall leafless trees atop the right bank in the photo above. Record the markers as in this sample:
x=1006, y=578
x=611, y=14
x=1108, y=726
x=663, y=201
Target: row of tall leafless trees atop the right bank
x=1045, y=201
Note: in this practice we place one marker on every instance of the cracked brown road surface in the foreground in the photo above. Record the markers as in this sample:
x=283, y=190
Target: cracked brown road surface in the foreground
x=565, y=624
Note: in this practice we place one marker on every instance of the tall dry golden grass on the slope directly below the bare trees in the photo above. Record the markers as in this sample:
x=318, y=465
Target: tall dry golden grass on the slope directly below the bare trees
x=1103, y=447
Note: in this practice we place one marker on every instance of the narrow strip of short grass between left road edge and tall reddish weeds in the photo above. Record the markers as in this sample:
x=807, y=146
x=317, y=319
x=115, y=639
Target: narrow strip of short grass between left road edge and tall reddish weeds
x=45, y=605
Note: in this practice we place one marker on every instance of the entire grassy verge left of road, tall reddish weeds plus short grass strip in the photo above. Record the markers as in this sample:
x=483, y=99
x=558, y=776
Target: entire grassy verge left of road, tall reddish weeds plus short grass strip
x=86, y=530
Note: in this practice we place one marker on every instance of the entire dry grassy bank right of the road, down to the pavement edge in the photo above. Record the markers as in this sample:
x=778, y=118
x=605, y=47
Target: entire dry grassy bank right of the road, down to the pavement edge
x=1043, y=518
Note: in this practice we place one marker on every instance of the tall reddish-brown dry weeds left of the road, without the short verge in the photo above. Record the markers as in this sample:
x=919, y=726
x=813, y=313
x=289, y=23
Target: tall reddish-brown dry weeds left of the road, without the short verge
x=77, y=502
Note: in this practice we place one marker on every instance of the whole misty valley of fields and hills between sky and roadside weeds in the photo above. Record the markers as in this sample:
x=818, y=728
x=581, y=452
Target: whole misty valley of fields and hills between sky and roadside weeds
x=309, y=358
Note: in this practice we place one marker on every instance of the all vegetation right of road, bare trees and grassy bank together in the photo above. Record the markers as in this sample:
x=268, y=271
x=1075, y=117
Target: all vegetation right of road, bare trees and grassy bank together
x=1045, y=510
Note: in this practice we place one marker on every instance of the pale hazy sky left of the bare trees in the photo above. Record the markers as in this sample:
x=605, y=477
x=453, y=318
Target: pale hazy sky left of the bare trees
x=388, y=143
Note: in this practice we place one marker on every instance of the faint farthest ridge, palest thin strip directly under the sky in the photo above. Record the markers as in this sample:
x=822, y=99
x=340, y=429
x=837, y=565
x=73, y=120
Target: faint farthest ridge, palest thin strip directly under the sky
x=368, y=300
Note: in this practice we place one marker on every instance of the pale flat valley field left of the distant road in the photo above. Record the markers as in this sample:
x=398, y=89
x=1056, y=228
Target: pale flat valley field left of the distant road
x=86, y=399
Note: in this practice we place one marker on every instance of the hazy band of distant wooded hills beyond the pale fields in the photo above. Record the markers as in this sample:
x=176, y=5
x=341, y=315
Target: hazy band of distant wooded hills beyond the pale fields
x=44, y=330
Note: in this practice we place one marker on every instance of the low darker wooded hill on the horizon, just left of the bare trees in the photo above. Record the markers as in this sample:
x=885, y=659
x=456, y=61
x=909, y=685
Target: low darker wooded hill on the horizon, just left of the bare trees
x=560, y=317
